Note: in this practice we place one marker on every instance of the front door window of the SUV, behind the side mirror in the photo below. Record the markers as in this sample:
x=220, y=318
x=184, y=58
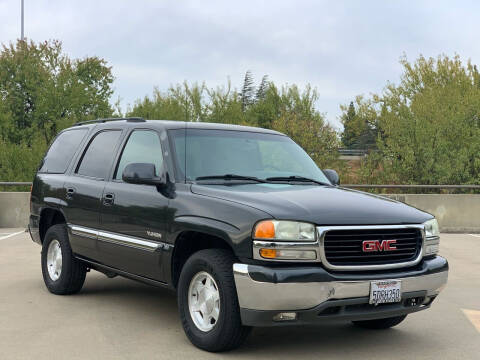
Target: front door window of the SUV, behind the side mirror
x=143, y=146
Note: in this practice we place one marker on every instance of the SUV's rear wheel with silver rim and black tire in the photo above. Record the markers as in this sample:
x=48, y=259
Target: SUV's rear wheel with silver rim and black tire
x=71, y=275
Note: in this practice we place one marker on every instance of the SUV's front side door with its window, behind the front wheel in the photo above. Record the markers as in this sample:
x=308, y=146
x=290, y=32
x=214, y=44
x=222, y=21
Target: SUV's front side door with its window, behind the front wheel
x=133, y=216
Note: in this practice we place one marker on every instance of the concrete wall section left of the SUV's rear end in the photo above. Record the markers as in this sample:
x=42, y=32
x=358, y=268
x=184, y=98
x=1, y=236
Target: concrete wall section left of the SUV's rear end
x=14, y=209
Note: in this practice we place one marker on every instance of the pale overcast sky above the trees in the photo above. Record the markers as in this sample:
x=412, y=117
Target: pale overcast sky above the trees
x=341, y=48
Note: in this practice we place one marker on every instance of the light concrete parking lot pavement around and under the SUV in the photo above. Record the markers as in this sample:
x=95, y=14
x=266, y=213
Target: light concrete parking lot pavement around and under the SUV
x=121, y=319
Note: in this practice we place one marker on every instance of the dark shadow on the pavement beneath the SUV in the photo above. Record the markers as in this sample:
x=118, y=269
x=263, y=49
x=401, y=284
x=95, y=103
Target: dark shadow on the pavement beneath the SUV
x=276, y=342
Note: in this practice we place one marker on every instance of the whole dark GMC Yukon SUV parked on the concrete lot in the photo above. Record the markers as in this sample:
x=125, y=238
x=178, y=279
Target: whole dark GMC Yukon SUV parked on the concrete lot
x=239, y=221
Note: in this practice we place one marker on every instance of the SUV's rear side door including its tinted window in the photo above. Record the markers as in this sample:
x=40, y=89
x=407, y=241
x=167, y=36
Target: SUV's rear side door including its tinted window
x=84, y=189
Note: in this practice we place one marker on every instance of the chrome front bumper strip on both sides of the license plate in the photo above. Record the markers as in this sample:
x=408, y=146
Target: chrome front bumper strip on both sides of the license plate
x=258, y=295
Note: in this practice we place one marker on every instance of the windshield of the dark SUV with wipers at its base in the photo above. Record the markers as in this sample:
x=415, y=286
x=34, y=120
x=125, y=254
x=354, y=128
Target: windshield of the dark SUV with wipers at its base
x=203, y=153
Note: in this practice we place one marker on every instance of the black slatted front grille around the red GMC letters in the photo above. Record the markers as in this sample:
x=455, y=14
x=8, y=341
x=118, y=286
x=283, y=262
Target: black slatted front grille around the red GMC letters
x=344, y=247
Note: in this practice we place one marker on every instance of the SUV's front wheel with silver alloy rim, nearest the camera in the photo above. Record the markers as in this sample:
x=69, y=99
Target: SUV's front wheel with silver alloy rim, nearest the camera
x=227, y=332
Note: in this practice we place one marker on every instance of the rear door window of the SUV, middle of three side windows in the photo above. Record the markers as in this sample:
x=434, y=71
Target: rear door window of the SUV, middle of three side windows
x=97, y=158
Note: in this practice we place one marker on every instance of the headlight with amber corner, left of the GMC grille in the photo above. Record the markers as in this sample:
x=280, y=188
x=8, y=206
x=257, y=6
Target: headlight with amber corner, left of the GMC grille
x=284, y=230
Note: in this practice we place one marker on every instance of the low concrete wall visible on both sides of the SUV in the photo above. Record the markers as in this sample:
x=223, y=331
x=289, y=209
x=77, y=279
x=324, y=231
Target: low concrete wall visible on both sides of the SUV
x=455, y=213
